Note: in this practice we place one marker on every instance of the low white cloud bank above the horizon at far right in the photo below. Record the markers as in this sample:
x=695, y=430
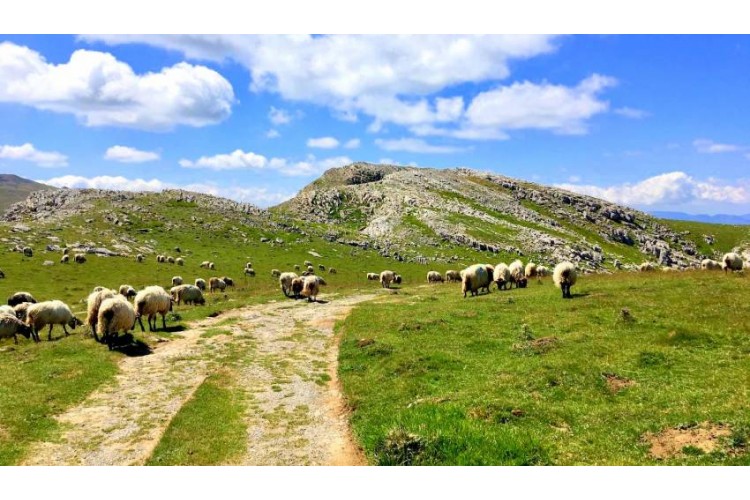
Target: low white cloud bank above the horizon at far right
x=673, y=188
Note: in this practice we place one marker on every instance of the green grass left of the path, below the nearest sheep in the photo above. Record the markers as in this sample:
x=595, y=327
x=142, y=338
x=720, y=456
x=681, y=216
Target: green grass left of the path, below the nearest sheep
x=40, y=381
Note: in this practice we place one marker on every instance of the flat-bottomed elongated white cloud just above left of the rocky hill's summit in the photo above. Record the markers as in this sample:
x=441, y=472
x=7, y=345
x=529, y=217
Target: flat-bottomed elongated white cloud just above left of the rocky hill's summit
x=241, y=160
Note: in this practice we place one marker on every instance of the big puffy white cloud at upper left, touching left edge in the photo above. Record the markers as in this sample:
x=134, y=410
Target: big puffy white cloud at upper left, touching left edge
x=100, y=90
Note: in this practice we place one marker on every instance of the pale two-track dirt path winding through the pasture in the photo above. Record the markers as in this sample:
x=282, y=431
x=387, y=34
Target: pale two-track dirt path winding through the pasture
x=295, y=413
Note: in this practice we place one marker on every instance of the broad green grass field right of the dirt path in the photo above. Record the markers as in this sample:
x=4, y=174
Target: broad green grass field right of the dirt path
x=459, y=381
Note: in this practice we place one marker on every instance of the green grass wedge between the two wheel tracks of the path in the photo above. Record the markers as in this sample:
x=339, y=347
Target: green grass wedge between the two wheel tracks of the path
x=208, y=430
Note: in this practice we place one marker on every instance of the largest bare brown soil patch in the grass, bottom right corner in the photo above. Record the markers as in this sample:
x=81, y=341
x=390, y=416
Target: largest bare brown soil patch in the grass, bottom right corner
x=673, y=442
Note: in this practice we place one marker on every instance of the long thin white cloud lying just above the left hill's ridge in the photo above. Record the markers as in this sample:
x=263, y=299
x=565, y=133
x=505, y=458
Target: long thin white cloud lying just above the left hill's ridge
x=260, y=196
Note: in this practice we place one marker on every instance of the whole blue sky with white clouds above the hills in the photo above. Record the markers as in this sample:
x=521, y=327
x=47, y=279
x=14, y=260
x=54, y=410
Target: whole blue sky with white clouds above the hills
x=655, y=122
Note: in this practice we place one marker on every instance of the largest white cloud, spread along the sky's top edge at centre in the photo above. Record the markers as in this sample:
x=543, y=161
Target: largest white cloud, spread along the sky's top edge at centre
x=389, y=78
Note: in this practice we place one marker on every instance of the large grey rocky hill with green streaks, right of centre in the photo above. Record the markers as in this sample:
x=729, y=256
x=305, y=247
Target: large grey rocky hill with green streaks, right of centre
x=406, y=209
